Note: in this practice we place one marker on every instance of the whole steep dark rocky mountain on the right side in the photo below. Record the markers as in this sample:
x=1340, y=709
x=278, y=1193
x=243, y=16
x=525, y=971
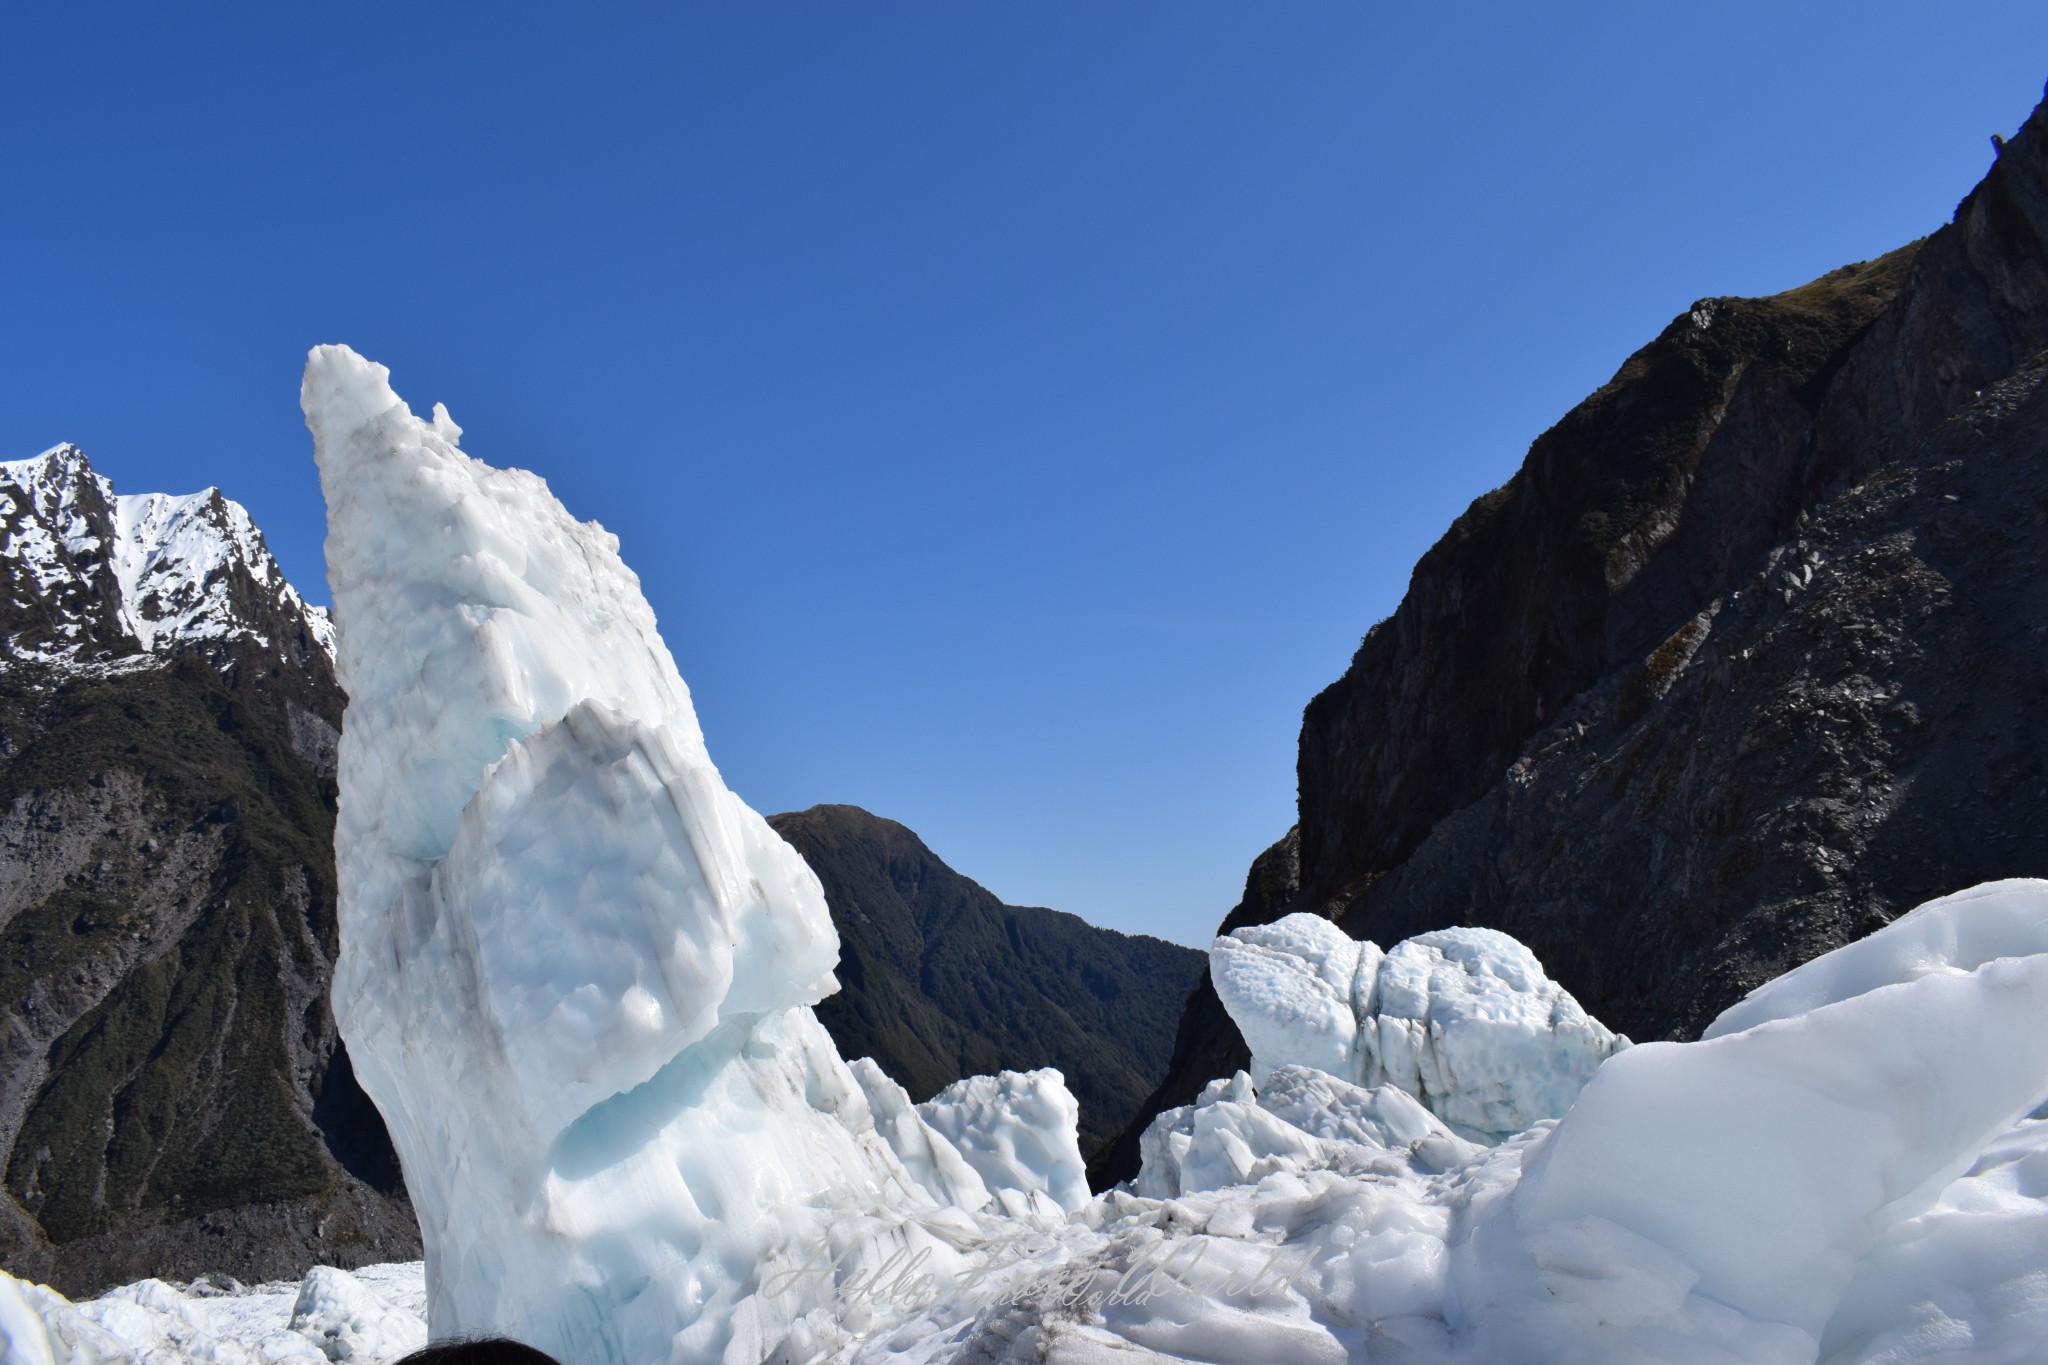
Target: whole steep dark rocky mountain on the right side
x=1744, y=662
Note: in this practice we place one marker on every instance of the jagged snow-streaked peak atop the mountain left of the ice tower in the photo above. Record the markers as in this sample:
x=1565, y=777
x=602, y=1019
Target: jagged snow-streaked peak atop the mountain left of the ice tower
x=116, y=582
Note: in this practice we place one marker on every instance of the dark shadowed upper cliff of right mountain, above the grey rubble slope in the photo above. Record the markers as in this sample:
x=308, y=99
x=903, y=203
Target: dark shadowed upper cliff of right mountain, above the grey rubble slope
x=1646, y=500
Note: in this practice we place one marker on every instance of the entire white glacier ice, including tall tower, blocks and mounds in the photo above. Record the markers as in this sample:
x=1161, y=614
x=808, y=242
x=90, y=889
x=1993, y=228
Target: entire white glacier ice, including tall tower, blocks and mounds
x=579, y=977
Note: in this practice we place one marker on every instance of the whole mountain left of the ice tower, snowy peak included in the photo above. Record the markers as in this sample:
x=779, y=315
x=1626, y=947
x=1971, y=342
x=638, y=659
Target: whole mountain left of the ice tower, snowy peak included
x=173, y=1094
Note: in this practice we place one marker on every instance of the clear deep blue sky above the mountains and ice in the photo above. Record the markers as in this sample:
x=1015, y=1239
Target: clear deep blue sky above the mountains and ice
x=1017, y=410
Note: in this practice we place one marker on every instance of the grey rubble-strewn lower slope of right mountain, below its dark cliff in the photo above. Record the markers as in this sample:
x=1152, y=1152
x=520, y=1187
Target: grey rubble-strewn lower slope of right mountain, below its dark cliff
x=1854, y=730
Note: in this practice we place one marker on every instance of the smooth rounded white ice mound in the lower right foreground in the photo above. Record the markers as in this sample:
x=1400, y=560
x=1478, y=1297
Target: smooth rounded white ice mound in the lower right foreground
x=1756, y=1170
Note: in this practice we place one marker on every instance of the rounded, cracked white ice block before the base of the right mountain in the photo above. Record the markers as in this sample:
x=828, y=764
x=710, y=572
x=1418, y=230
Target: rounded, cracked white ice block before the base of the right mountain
x=1465, y=1020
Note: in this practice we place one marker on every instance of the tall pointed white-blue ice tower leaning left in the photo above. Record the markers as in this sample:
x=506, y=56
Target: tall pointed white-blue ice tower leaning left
x=577, y=971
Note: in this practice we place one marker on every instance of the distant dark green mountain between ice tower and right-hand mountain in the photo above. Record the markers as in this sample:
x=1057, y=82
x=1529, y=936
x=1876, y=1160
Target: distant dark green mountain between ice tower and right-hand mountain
x=939, y=979
